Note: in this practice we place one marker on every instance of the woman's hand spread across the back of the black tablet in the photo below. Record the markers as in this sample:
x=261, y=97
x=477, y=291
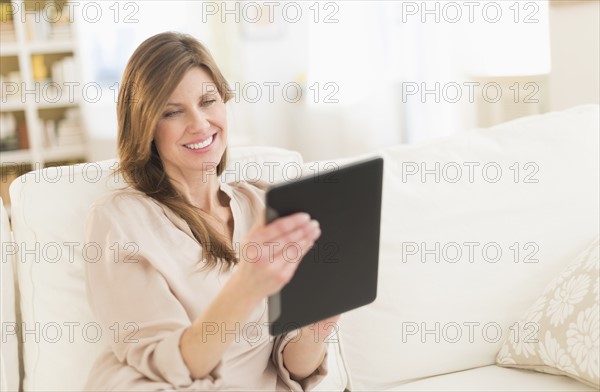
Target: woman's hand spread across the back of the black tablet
x=270, y=254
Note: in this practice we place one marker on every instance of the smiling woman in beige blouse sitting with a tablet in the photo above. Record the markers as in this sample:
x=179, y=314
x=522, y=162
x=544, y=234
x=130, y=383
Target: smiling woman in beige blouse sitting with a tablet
x=177, y=289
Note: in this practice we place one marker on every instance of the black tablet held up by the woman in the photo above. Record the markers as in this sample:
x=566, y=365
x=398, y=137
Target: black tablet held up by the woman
x=339, y=273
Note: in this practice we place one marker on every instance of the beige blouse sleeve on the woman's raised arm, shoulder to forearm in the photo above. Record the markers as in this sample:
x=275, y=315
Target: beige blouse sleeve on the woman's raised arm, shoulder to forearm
x=131, y=299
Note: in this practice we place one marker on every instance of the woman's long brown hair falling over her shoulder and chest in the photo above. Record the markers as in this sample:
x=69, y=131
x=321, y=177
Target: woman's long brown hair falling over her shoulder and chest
x=152, y=74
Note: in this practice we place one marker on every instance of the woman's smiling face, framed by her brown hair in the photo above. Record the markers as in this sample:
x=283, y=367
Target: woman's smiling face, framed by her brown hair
x=191, y=134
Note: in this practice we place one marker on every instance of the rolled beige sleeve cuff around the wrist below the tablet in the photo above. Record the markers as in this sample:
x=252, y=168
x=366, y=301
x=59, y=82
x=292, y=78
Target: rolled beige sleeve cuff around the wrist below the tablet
x=310, y=382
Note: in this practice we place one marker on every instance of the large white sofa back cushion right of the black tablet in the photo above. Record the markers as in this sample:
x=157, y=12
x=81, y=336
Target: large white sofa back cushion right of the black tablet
x=473, y=228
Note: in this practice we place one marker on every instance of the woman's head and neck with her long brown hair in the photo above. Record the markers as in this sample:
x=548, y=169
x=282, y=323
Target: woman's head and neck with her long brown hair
x=153, y=115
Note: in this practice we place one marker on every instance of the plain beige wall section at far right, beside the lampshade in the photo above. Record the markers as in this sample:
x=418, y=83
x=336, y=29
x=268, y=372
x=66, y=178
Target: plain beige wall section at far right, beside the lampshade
x=575, y=46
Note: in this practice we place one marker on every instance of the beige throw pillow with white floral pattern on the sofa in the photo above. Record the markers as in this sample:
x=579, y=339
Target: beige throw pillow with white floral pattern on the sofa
x=560, y=334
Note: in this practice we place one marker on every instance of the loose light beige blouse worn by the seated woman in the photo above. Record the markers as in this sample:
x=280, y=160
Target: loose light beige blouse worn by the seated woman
x=147, y=287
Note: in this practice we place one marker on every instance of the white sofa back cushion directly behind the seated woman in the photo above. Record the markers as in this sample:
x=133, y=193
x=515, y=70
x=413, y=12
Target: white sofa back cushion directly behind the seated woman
x=49, y=209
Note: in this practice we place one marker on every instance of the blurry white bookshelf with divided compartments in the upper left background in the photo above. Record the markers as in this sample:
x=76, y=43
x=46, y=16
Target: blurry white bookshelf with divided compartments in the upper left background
x=30, y=61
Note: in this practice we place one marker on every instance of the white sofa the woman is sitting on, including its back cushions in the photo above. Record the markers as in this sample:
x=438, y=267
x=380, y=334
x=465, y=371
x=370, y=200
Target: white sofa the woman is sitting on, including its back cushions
x=524, y=206
